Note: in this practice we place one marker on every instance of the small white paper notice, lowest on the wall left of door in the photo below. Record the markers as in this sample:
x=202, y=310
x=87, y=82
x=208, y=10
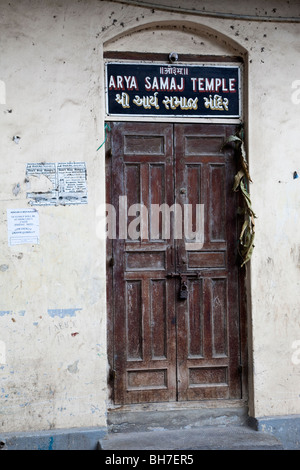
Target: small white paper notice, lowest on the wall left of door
x=23, y=226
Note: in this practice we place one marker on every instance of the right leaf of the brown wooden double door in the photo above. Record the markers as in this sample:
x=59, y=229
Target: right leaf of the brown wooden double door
x=204, y=175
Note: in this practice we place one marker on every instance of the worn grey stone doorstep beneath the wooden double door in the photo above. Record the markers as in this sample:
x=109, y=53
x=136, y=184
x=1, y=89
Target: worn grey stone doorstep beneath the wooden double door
x=186, y=429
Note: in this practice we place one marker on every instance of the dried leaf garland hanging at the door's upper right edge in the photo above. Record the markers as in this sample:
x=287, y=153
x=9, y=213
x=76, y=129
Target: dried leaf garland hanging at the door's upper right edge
x=241, y=182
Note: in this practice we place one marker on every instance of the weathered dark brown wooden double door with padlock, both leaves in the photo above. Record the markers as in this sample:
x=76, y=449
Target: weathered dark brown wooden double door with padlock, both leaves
x=163, y=347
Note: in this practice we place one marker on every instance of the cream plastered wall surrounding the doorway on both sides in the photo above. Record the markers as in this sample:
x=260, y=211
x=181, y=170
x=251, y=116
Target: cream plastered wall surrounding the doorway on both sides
x=52, y=306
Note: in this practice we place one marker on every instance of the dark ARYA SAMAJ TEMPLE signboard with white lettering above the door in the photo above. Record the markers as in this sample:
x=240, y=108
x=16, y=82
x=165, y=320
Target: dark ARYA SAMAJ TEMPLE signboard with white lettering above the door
x=157, y=90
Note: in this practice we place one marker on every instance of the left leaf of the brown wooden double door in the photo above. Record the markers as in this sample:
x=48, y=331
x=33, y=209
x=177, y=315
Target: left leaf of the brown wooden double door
x=144, y=303
